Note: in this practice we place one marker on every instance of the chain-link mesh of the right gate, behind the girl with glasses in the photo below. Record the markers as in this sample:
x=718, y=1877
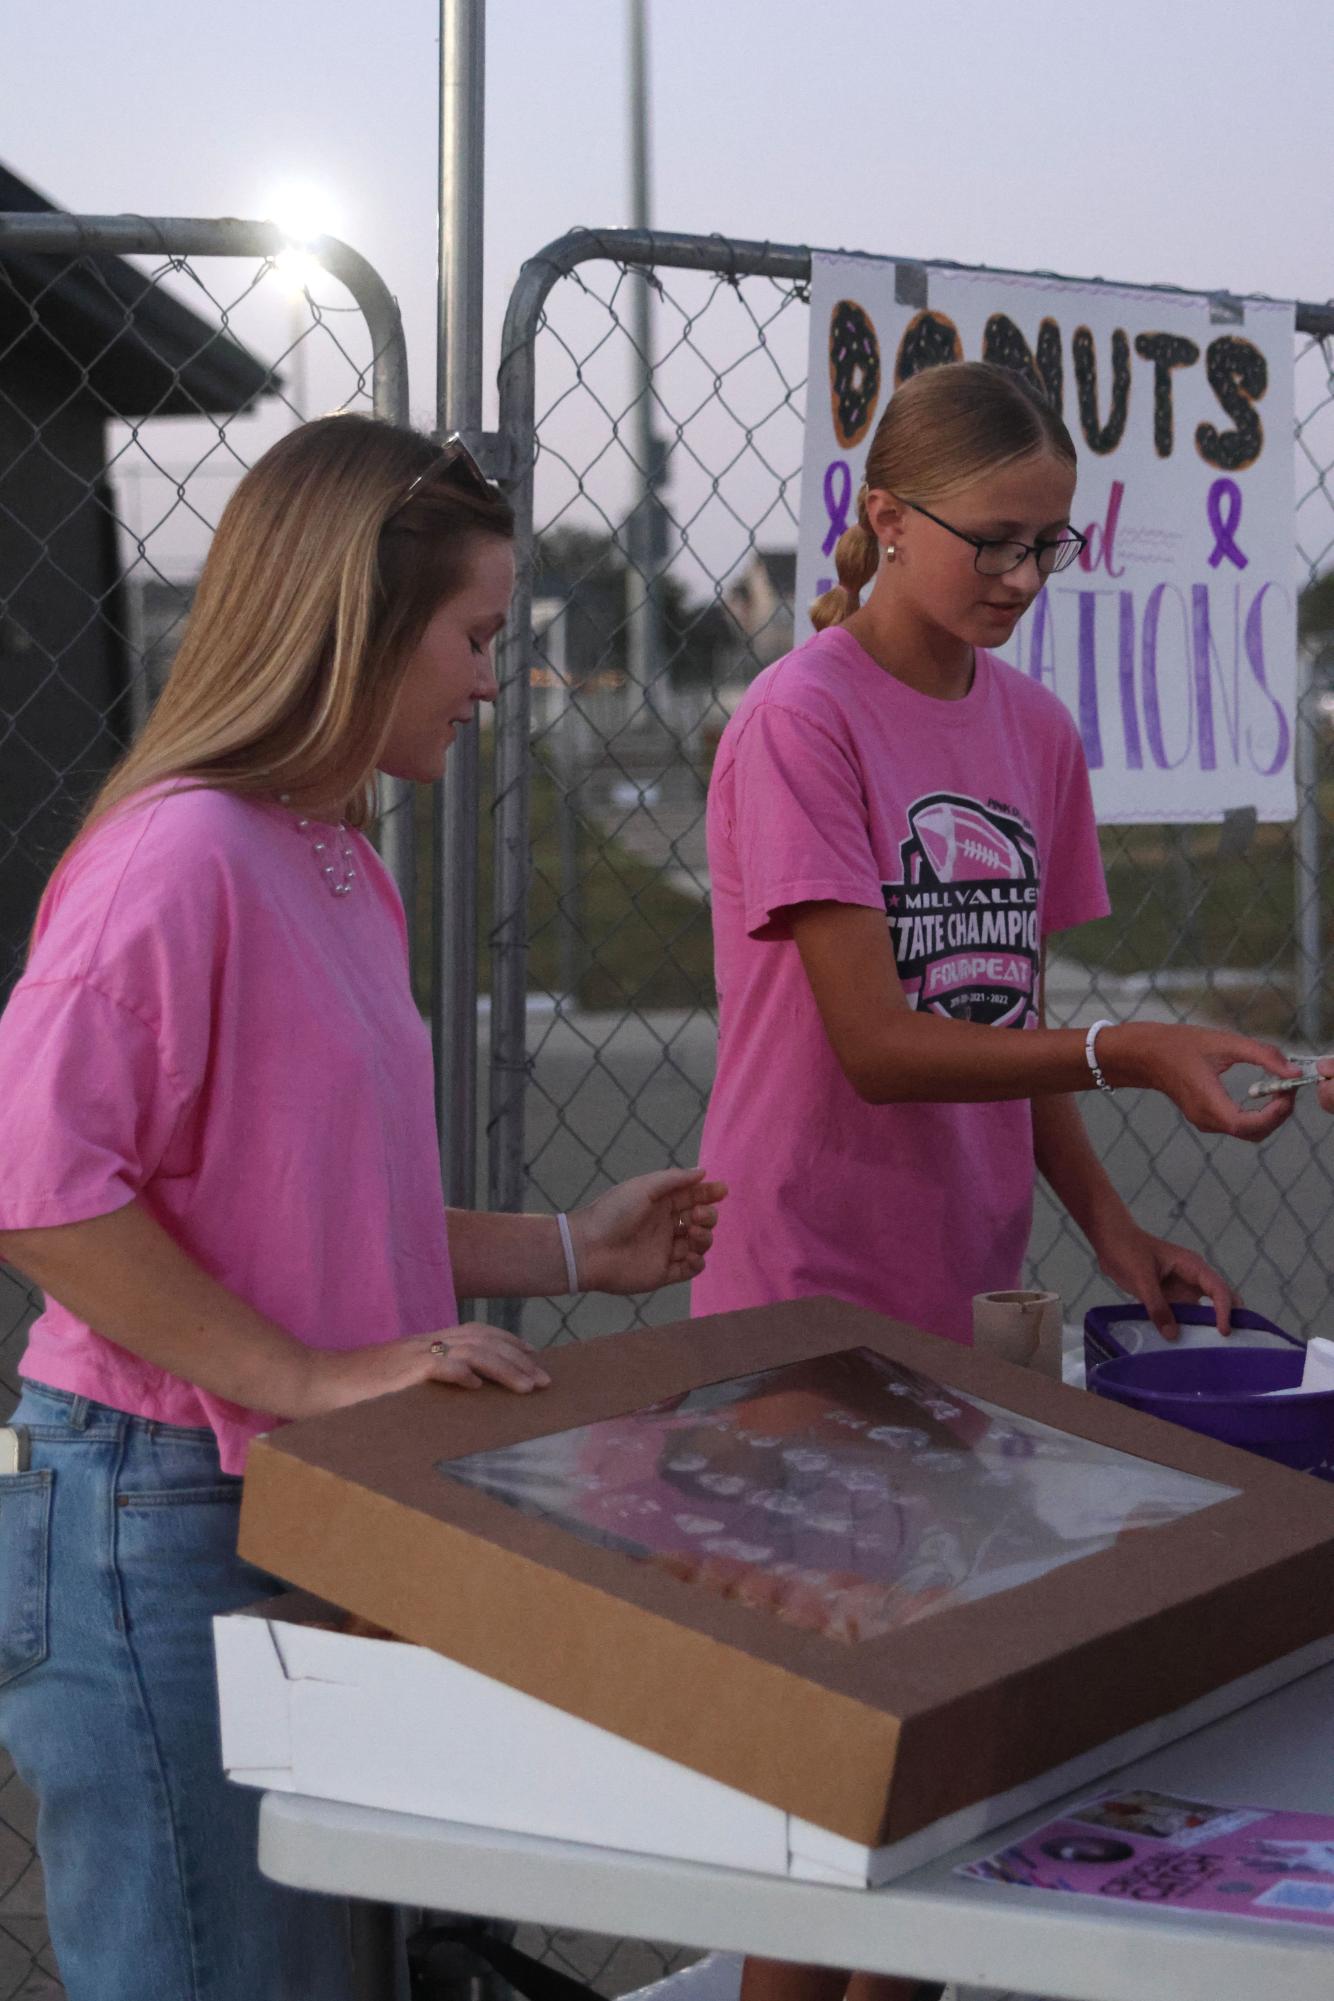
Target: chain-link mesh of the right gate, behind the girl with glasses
x=663, y=501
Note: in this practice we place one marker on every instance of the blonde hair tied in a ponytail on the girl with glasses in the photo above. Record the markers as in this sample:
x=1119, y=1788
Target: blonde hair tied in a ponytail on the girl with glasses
x=941, y=431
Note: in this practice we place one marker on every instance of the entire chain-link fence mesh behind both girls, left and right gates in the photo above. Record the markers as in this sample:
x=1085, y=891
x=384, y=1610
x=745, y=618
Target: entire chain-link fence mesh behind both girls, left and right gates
x=149, y=363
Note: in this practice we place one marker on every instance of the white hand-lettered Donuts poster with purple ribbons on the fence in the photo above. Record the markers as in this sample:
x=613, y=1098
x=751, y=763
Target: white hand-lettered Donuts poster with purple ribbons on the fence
x=1173, y=641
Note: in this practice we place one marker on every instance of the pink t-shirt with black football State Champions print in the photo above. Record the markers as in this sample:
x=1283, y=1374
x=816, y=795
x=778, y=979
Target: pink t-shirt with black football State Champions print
x=971, y=827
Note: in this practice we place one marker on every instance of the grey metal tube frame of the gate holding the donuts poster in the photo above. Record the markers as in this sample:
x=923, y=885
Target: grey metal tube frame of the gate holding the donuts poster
x=513, y=453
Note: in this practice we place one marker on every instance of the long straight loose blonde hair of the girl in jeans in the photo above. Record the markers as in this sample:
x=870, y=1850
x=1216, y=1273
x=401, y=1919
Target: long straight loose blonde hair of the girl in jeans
x=321, y=579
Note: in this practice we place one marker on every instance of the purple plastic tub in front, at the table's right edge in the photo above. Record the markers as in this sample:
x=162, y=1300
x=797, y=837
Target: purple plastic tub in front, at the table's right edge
x=1225, y=1394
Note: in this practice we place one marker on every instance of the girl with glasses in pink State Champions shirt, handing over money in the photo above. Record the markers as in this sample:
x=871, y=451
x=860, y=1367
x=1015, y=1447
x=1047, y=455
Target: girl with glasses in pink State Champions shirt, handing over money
x=897, y=823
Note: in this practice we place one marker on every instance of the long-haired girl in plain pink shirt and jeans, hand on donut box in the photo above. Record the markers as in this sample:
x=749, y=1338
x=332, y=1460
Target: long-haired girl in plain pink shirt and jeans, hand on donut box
x=219, y=1162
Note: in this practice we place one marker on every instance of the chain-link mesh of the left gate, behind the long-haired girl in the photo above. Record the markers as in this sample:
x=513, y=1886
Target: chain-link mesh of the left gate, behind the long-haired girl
x=143, y=367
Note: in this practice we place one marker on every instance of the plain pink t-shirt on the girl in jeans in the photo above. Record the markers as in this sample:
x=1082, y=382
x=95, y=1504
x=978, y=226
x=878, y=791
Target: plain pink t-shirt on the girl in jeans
x=207, y=1028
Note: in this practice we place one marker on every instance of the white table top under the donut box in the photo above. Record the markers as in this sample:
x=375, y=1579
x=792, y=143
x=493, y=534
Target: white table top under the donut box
x=931, y=1924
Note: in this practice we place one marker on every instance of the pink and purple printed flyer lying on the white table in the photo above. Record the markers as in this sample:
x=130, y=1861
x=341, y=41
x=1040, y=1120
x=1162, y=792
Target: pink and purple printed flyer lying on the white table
x=1155, y=1852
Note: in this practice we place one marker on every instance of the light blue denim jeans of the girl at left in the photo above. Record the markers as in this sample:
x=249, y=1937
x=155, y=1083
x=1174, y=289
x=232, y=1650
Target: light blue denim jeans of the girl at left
x=117, y=1548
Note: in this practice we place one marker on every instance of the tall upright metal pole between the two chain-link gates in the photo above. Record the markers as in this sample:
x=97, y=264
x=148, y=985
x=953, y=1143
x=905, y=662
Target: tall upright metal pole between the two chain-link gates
x=459, y=407
